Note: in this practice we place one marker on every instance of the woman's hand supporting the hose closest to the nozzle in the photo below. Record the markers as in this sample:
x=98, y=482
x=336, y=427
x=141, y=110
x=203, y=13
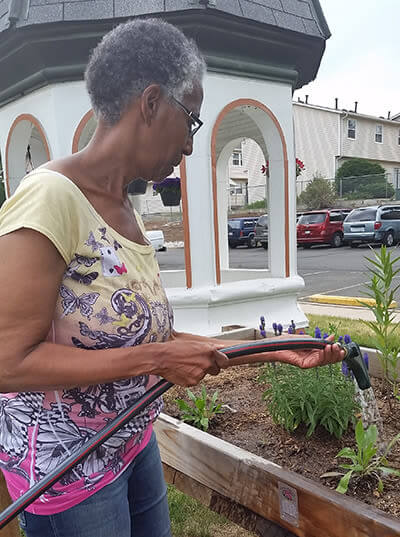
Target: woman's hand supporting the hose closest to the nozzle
x=314, y=357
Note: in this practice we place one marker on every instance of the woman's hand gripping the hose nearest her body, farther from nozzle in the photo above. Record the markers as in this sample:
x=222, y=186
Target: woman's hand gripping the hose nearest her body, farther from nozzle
x=186, y=362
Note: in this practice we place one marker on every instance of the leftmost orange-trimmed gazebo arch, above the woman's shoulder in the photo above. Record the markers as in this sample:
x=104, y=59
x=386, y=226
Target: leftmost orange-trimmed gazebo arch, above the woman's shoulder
x=26, y=148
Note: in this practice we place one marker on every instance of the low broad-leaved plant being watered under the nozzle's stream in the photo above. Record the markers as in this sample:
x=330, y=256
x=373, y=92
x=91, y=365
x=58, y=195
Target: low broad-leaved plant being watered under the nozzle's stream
x=365, y=462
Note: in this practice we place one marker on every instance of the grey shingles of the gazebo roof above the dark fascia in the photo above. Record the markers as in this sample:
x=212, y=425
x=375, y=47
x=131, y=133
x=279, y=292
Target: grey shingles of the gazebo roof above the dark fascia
x=303, y=16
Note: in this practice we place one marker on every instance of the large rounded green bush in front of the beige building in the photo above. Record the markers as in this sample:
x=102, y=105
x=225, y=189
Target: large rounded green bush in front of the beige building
x=360, y=178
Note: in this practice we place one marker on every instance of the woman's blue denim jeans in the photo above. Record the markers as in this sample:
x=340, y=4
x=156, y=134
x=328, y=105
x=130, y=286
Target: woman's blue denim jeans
x=134, y=505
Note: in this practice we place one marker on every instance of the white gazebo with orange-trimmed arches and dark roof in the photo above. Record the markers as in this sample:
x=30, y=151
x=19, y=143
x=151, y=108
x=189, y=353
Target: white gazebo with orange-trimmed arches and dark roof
x=257, y=53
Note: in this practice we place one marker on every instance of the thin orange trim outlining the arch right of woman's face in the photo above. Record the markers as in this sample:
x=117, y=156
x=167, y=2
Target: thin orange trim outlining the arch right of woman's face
x=222, y=114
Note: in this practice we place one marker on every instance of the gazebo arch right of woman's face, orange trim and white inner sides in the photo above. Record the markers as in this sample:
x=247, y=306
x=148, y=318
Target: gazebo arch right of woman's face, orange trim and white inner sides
x=251, y=119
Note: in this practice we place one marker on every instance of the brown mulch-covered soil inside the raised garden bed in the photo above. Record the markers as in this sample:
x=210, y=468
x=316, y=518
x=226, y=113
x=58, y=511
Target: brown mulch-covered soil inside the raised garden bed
x=246, y=424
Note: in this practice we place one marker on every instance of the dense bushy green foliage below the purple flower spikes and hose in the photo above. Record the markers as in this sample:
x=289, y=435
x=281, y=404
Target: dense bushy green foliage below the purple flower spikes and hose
x=320, y=396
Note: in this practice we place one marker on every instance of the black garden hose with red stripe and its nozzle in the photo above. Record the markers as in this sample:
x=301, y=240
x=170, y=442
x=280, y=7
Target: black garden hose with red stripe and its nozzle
x=353, y=359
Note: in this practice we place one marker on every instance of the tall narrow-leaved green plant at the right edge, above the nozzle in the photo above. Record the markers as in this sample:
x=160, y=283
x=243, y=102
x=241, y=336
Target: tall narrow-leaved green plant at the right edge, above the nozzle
x=381, y=288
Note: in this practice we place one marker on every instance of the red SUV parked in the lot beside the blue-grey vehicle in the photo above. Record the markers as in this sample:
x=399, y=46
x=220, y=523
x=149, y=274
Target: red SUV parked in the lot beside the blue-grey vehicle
x=321, y=227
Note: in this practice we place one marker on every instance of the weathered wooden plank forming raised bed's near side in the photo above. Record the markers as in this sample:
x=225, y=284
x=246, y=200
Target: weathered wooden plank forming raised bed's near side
x=256, y=484
